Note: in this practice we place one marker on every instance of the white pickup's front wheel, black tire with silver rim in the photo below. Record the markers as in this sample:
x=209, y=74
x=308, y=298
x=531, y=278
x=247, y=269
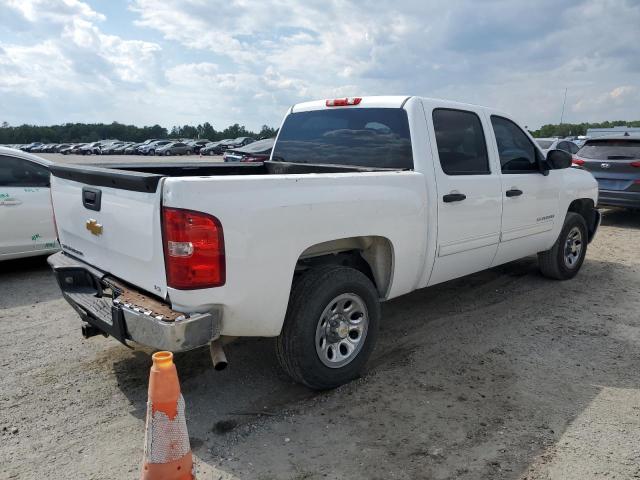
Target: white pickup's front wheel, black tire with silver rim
x=564, y=259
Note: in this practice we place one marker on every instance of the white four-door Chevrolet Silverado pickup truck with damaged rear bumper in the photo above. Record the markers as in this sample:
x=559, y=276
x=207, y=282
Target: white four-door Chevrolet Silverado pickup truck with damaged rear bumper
x=362, y=200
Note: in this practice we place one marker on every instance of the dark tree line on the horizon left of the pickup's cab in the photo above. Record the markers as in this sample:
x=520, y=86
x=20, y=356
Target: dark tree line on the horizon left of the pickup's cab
x=91, y=132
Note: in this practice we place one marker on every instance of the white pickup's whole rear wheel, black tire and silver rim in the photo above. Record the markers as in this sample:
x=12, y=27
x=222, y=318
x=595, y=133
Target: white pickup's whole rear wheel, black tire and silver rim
x=330, y=328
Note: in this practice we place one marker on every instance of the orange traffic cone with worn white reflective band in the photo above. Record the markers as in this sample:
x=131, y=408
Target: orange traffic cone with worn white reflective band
x=167, y=453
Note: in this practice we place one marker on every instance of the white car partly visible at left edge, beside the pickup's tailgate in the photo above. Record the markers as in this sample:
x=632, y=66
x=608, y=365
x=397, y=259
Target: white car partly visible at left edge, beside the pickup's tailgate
x=26, y=217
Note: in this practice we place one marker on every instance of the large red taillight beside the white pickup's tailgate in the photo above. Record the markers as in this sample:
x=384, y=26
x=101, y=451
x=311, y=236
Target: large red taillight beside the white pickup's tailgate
x=193, y=249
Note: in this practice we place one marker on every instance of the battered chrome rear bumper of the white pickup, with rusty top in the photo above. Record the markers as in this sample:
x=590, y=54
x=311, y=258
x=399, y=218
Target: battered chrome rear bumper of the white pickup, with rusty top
x=127, y=314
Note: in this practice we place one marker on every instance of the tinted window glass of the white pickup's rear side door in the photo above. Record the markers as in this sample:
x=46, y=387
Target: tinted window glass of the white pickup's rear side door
x=462, y=147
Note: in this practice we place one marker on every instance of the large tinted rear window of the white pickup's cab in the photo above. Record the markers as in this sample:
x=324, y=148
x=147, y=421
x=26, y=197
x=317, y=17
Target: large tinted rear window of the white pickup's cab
x=364, y=137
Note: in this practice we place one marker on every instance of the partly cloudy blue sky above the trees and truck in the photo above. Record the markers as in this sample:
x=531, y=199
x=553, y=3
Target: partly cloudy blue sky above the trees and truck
x=177, y=62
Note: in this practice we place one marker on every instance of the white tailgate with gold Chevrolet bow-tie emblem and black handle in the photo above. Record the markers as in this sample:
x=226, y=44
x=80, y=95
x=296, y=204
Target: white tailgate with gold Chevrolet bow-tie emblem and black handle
x=113, y=225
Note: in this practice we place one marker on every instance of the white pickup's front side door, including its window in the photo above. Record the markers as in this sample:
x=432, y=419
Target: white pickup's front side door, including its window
x=530, y=199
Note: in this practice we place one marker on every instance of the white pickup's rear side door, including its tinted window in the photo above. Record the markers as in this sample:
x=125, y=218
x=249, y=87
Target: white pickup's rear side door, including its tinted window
x=468, y=192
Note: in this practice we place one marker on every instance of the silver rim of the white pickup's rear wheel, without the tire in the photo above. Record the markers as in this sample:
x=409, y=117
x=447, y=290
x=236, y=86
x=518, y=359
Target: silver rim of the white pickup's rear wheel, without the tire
x=342, y=330
